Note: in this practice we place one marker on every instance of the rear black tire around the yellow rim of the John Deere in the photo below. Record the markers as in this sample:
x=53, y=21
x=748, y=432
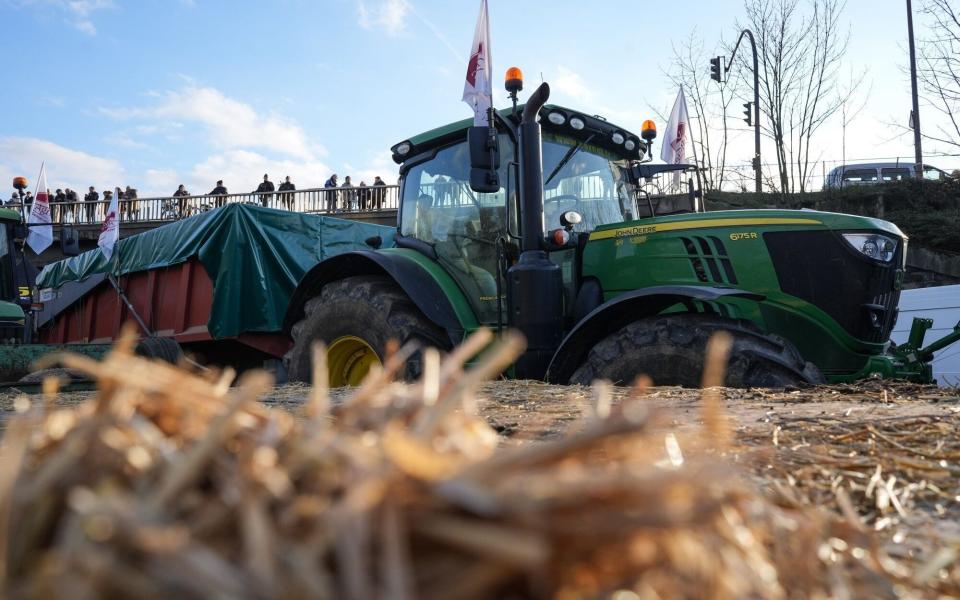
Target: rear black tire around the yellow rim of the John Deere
x=372, y=308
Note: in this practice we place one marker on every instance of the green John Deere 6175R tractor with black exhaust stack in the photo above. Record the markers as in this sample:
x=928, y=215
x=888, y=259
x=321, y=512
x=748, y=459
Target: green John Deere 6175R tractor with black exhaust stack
x=550, y=222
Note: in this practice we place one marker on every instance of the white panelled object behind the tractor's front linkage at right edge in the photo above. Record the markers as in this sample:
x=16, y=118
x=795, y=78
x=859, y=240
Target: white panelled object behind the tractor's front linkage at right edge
x=942, y=304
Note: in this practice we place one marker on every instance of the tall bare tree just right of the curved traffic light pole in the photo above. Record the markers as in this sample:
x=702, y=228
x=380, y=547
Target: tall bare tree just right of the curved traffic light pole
x=800, y=51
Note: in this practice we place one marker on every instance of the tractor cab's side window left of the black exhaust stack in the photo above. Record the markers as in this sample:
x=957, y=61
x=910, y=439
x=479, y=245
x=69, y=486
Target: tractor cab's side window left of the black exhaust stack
x=439, y=208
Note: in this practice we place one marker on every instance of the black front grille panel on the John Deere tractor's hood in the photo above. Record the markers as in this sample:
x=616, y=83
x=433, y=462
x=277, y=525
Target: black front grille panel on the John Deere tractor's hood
x=823, y=269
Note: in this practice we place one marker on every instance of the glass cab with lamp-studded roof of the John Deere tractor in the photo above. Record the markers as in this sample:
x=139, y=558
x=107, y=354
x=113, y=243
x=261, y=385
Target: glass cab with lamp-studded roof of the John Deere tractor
x=590, y=167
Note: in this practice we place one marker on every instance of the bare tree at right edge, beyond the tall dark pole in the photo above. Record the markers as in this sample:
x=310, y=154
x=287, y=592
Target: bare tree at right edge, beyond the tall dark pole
x=938, y=69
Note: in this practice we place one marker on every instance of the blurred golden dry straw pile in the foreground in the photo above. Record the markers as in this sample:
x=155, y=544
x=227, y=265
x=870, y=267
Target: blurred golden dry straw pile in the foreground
x=172, y=484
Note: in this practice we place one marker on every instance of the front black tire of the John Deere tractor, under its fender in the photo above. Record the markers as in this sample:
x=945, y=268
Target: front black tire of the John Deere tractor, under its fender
x=671, y=350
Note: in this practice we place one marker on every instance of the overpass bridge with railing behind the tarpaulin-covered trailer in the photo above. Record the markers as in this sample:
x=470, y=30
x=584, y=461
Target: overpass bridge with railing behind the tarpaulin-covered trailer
x=76, y=225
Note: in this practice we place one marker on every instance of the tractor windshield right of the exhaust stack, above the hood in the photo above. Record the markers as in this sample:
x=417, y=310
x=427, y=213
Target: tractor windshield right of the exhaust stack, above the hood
x=587, y=179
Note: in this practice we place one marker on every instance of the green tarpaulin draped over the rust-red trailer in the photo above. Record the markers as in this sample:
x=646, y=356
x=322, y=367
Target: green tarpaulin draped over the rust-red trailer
x=254, y=256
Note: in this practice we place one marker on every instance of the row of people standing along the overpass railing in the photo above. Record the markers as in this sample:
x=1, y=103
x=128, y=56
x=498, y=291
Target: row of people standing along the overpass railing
x=68, y=207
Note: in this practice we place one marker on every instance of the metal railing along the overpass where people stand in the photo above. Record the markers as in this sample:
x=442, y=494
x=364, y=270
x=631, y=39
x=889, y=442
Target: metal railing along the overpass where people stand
x=331, y=201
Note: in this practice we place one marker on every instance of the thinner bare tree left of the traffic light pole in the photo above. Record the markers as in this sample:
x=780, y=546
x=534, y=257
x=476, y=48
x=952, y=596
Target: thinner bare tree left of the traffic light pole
x=707, y=103
